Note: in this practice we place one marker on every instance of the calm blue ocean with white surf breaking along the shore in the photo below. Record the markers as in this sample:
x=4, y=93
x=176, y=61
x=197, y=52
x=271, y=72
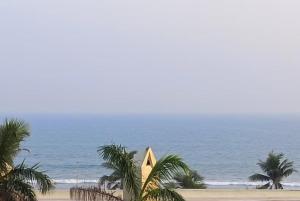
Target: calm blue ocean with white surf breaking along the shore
x=222, y=148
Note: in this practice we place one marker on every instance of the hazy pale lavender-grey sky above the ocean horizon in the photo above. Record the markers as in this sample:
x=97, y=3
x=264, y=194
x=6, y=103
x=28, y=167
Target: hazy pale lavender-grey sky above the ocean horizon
x=158, y=56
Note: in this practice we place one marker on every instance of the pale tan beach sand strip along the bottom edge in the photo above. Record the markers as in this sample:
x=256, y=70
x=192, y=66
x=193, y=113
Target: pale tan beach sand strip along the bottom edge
x=208, y=195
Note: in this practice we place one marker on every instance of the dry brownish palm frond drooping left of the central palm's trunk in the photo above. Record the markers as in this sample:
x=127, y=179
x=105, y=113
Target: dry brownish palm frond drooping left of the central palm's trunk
x=92, y=194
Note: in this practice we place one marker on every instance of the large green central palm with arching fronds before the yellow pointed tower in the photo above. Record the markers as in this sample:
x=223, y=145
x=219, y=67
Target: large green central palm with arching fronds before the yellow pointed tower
x=154, y=187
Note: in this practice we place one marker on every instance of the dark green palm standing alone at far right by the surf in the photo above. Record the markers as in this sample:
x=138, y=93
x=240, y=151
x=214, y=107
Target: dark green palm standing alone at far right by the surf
x=276, y=168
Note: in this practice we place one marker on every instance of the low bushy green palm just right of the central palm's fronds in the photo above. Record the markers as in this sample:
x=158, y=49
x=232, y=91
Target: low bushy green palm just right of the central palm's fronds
x=192, y=180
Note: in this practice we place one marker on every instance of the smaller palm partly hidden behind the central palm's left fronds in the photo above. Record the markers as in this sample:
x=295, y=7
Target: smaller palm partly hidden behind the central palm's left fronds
x=114, y=180
